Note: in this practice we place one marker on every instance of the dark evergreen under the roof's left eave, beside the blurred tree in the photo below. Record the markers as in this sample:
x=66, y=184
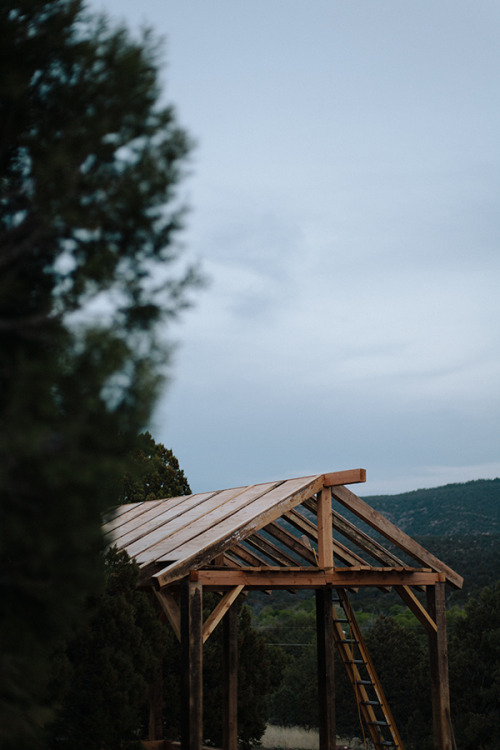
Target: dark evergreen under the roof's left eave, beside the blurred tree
x=112, y=661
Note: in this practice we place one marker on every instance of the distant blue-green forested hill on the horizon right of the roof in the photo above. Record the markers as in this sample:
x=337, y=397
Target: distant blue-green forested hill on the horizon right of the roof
x=454, y=509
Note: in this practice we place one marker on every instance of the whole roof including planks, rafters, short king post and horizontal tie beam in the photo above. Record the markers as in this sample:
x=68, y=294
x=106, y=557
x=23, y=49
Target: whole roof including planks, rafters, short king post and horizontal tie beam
x=276, y=534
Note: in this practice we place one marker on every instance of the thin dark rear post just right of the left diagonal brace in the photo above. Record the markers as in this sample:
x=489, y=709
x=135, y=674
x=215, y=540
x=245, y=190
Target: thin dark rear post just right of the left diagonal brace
x=230, y=677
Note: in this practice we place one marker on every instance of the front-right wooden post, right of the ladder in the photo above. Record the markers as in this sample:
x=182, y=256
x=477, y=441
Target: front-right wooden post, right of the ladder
x=438, y=651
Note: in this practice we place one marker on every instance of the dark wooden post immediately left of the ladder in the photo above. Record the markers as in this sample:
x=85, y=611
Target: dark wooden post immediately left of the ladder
x=326, y=688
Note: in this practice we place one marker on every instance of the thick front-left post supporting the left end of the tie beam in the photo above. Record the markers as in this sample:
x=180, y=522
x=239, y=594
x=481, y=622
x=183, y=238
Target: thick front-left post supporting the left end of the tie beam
x=192, y=665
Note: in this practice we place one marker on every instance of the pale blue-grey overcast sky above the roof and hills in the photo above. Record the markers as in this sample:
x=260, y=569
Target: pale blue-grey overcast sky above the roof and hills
x=344, y=204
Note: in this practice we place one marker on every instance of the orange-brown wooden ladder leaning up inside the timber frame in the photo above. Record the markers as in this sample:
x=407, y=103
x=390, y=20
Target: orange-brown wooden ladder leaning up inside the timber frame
x=370, y=697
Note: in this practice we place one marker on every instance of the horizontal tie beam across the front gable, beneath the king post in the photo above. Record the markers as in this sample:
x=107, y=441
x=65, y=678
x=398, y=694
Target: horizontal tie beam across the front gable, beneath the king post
x=297, y=578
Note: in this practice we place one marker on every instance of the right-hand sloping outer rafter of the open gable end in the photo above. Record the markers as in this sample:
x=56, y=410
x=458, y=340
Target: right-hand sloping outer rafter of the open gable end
x=377, y=521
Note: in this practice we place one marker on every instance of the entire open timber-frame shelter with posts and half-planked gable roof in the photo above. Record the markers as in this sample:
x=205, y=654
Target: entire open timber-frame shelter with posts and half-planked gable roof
x=285, y=535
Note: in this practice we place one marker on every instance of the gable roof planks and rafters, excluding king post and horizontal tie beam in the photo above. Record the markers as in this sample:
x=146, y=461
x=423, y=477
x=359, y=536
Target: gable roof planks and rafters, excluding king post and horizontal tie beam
x=259, y=527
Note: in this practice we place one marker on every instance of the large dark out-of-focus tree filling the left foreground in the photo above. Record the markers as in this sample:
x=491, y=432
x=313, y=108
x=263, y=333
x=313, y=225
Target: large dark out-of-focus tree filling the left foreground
x=89, y=163
